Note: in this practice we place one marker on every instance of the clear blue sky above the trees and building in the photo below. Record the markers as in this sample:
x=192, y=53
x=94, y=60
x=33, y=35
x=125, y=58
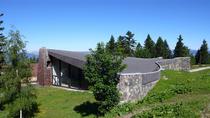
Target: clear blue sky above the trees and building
x=79, y=24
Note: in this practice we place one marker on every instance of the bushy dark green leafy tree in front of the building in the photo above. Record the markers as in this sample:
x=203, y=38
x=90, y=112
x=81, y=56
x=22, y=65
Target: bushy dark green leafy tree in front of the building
x=101, y=71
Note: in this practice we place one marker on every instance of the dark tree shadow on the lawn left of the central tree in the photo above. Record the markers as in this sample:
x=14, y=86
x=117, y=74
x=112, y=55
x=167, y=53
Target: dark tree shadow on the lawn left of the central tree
x=87, y=108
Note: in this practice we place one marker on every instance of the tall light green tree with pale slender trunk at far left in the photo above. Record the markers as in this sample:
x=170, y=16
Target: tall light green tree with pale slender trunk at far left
x=17, y=93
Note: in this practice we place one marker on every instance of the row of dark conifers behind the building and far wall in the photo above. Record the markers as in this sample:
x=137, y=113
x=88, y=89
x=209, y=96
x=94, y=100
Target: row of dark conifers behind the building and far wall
x=127, y=46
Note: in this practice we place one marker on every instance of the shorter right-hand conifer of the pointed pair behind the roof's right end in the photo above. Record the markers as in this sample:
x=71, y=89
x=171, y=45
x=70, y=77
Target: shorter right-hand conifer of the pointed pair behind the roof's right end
x=159, y=46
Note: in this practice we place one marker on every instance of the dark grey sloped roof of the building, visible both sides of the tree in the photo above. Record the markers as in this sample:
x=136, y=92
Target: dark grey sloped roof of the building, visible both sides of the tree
x=134, y=65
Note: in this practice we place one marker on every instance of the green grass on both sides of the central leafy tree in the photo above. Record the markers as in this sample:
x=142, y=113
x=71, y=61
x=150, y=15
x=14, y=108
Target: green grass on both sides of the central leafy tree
x=177, y=94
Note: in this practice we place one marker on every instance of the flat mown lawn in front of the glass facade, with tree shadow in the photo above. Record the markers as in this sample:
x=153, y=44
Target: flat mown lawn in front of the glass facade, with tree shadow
x=58, y=103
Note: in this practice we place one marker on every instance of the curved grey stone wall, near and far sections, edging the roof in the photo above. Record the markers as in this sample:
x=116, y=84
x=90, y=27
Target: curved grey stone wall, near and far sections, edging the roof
x=135, y=86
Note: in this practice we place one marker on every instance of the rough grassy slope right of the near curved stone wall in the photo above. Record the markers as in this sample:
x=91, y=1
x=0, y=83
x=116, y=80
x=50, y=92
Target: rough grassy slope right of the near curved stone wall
x=191, y=90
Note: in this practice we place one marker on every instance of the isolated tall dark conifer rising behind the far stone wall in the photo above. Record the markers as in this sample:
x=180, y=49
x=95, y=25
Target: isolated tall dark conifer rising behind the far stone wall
x=181, y=50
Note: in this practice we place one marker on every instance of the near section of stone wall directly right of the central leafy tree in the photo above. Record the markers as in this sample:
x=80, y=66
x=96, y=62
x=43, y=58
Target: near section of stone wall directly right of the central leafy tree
x=135, y=86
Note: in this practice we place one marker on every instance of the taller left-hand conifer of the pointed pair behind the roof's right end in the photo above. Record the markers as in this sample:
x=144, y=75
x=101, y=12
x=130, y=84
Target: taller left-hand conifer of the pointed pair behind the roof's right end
x=150, y=46
